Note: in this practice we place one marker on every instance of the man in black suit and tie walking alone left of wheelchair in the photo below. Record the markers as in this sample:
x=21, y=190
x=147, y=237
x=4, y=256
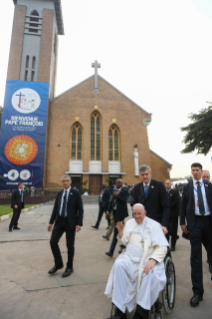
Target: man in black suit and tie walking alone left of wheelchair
x=67, y=215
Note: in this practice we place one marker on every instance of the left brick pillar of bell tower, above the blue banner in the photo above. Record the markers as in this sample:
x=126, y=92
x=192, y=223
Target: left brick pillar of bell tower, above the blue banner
x=16, y=46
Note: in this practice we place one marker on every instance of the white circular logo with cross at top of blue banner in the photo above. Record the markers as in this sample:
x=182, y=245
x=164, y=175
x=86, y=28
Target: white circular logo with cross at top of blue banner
x=26, y=101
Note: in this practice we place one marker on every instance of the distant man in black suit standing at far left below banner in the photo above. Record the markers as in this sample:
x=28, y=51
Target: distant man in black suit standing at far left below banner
x=17, y=203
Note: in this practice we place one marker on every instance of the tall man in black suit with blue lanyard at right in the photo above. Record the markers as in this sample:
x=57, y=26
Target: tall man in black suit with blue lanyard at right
x=196, y=209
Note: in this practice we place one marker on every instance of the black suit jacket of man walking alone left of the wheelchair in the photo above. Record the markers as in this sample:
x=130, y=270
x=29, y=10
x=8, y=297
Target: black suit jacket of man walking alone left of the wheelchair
x=74, y=208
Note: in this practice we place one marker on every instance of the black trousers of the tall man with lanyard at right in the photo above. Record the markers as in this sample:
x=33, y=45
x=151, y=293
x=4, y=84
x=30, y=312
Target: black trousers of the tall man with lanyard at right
x=202, y=228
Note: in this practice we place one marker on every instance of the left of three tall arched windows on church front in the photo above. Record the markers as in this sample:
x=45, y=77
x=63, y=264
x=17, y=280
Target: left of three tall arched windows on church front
x=76, y=142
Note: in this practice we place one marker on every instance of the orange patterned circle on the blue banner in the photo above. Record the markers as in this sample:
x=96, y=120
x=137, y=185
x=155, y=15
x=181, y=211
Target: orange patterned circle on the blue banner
x=21, y=150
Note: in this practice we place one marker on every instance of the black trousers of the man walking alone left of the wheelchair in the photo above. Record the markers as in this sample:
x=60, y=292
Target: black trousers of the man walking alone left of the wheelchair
x=60, y=227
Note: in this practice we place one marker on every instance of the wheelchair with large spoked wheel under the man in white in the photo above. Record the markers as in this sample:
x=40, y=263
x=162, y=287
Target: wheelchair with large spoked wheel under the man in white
x=167, y=295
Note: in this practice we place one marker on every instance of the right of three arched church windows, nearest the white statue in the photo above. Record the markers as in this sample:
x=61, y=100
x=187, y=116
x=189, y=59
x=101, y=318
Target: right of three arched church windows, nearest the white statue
x=114, y=143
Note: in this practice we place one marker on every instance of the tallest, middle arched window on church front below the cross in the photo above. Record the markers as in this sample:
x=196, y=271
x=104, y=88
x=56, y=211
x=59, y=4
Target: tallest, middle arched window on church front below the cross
x=95, y=150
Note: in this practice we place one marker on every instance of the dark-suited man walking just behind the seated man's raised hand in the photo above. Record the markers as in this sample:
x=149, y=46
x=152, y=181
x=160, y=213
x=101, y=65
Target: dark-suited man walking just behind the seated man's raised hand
x=118, y=204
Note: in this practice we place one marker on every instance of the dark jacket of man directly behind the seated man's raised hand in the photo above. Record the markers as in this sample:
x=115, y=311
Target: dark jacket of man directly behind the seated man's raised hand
x=121, y=211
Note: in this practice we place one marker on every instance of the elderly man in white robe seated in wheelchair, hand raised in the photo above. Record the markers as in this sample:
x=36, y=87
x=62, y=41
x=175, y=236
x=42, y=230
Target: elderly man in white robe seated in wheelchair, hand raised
x=138, y=274
